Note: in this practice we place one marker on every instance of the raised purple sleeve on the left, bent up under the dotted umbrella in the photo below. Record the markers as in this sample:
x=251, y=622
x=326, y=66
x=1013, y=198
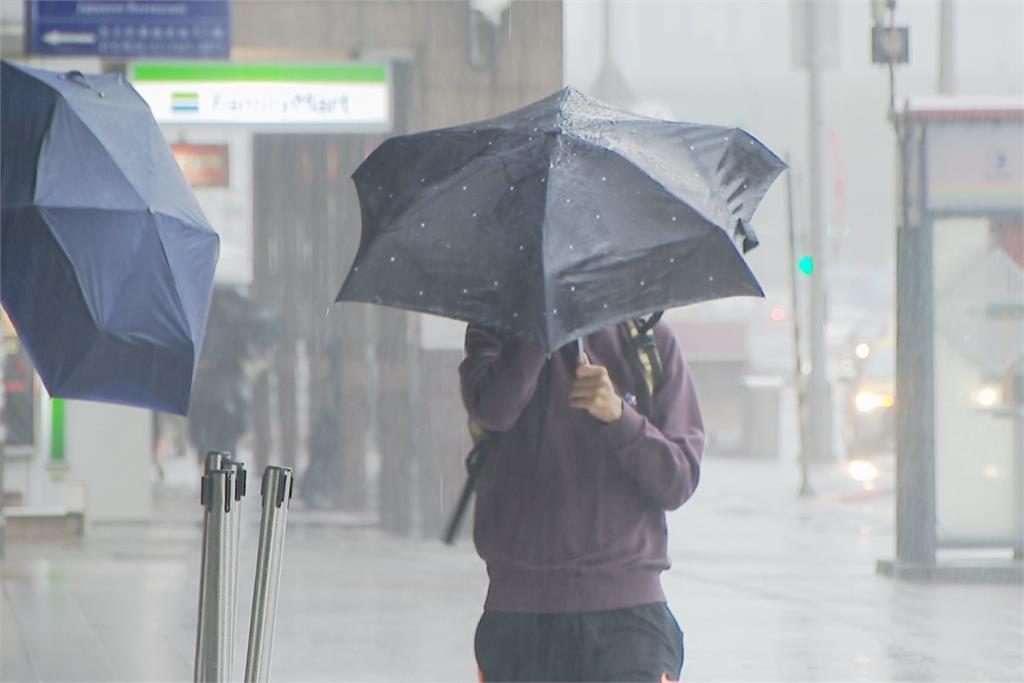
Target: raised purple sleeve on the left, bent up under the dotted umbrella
x=499, y=377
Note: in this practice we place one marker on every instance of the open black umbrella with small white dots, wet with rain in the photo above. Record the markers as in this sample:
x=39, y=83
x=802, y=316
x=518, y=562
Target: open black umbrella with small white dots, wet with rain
x=559, y=220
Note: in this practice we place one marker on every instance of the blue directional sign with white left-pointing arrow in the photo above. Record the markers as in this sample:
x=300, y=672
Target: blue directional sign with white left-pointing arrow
x=132, y=28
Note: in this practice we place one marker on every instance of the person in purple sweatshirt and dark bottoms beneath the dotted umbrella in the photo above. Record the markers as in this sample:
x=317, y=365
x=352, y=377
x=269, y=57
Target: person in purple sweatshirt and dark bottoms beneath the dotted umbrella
x=571, y=508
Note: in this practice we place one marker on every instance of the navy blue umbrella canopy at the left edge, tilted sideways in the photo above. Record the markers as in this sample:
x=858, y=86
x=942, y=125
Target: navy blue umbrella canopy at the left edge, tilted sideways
x=107, y=261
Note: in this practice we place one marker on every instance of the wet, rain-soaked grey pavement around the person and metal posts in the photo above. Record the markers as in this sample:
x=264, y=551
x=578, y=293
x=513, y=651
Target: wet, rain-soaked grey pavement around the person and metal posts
x=769, y=587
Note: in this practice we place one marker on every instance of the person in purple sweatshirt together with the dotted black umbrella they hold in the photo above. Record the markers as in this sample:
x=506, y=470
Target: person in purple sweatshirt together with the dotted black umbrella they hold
x=550, y=230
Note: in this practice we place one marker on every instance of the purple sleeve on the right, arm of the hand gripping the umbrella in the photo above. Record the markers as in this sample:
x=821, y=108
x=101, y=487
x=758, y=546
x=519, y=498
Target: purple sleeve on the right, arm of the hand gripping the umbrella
x=663, y=454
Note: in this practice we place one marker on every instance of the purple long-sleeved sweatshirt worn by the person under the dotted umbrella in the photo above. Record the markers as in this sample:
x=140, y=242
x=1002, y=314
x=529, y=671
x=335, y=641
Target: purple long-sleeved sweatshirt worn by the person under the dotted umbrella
x=571, y=511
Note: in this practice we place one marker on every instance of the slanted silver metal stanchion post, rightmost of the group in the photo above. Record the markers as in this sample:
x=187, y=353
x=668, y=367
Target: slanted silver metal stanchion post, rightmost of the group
x=277, y=494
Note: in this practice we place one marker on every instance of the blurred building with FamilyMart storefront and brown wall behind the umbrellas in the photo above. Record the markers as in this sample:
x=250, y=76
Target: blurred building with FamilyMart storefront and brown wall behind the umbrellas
x=364, y=403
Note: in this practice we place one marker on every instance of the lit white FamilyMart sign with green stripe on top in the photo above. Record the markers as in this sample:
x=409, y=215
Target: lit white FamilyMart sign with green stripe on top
x=282, y=97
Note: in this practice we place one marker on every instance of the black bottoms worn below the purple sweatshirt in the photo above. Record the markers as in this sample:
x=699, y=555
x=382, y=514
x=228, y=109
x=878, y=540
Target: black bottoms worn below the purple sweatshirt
x=643, y=644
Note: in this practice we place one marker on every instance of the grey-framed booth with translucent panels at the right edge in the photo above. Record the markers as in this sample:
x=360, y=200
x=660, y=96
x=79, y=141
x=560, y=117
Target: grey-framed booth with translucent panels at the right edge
x=960, y=356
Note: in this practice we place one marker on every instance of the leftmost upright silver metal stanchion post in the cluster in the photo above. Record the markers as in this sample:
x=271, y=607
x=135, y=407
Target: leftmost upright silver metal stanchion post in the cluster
x=219, y=499
